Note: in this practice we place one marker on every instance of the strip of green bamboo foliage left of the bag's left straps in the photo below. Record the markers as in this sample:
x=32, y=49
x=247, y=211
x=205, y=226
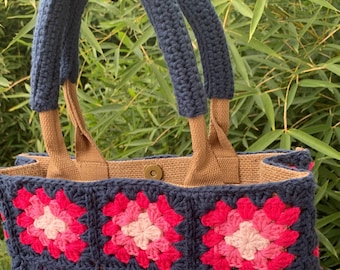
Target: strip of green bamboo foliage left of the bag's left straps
x=15, y=131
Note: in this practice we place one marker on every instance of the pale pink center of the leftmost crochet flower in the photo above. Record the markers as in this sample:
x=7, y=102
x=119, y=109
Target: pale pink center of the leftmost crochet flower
x=50, y=224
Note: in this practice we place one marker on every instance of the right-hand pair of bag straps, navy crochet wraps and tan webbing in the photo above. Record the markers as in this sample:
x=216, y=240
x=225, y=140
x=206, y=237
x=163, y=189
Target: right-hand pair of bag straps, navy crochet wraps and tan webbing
x=214, y=160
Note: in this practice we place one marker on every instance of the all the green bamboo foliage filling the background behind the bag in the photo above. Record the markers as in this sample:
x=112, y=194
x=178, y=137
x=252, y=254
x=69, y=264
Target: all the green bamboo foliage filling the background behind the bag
x=286, y=61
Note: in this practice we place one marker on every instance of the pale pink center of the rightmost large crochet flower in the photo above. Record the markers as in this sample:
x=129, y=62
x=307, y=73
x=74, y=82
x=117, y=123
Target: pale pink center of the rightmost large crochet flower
x=247, y=240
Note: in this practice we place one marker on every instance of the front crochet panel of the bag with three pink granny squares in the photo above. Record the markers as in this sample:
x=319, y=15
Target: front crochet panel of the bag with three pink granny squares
x=146, y=224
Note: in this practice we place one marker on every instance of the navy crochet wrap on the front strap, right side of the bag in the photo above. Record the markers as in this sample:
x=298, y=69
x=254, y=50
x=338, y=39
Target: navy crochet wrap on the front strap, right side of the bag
x=167, y=20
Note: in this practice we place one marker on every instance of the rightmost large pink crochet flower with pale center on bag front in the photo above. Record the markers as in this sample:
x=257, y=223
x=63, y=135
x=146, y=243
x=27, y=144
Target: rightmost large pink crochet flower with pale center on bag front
x=248, y=237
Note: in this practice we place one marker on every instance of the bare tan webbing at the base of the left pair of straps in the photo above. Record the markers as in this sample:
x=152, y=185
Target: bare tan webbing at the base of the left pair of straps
x=89, y=164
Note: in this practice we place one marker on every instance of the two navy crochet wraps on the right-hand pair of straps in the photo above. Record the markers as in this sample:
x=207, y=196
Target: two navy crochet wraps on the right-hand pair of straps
x=168, y=21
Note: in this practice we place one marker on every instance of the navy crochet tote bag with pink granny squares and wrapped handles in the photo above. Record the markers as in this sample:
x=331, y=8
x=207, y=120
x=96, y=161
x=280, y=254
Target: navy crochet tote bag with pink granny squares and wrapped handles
x=216, y=209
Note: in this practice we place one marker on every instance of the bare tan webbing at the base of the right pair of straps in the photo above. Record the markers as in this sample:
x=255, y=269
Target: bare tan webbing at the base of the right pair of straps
x=214, y=160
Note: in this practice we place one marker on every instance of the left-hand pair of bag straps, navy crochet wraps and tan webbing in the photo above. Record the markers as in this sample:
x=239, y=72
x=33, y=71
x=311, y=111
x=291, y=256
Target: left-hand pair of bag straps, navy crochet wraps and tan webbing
x=55, y=61
